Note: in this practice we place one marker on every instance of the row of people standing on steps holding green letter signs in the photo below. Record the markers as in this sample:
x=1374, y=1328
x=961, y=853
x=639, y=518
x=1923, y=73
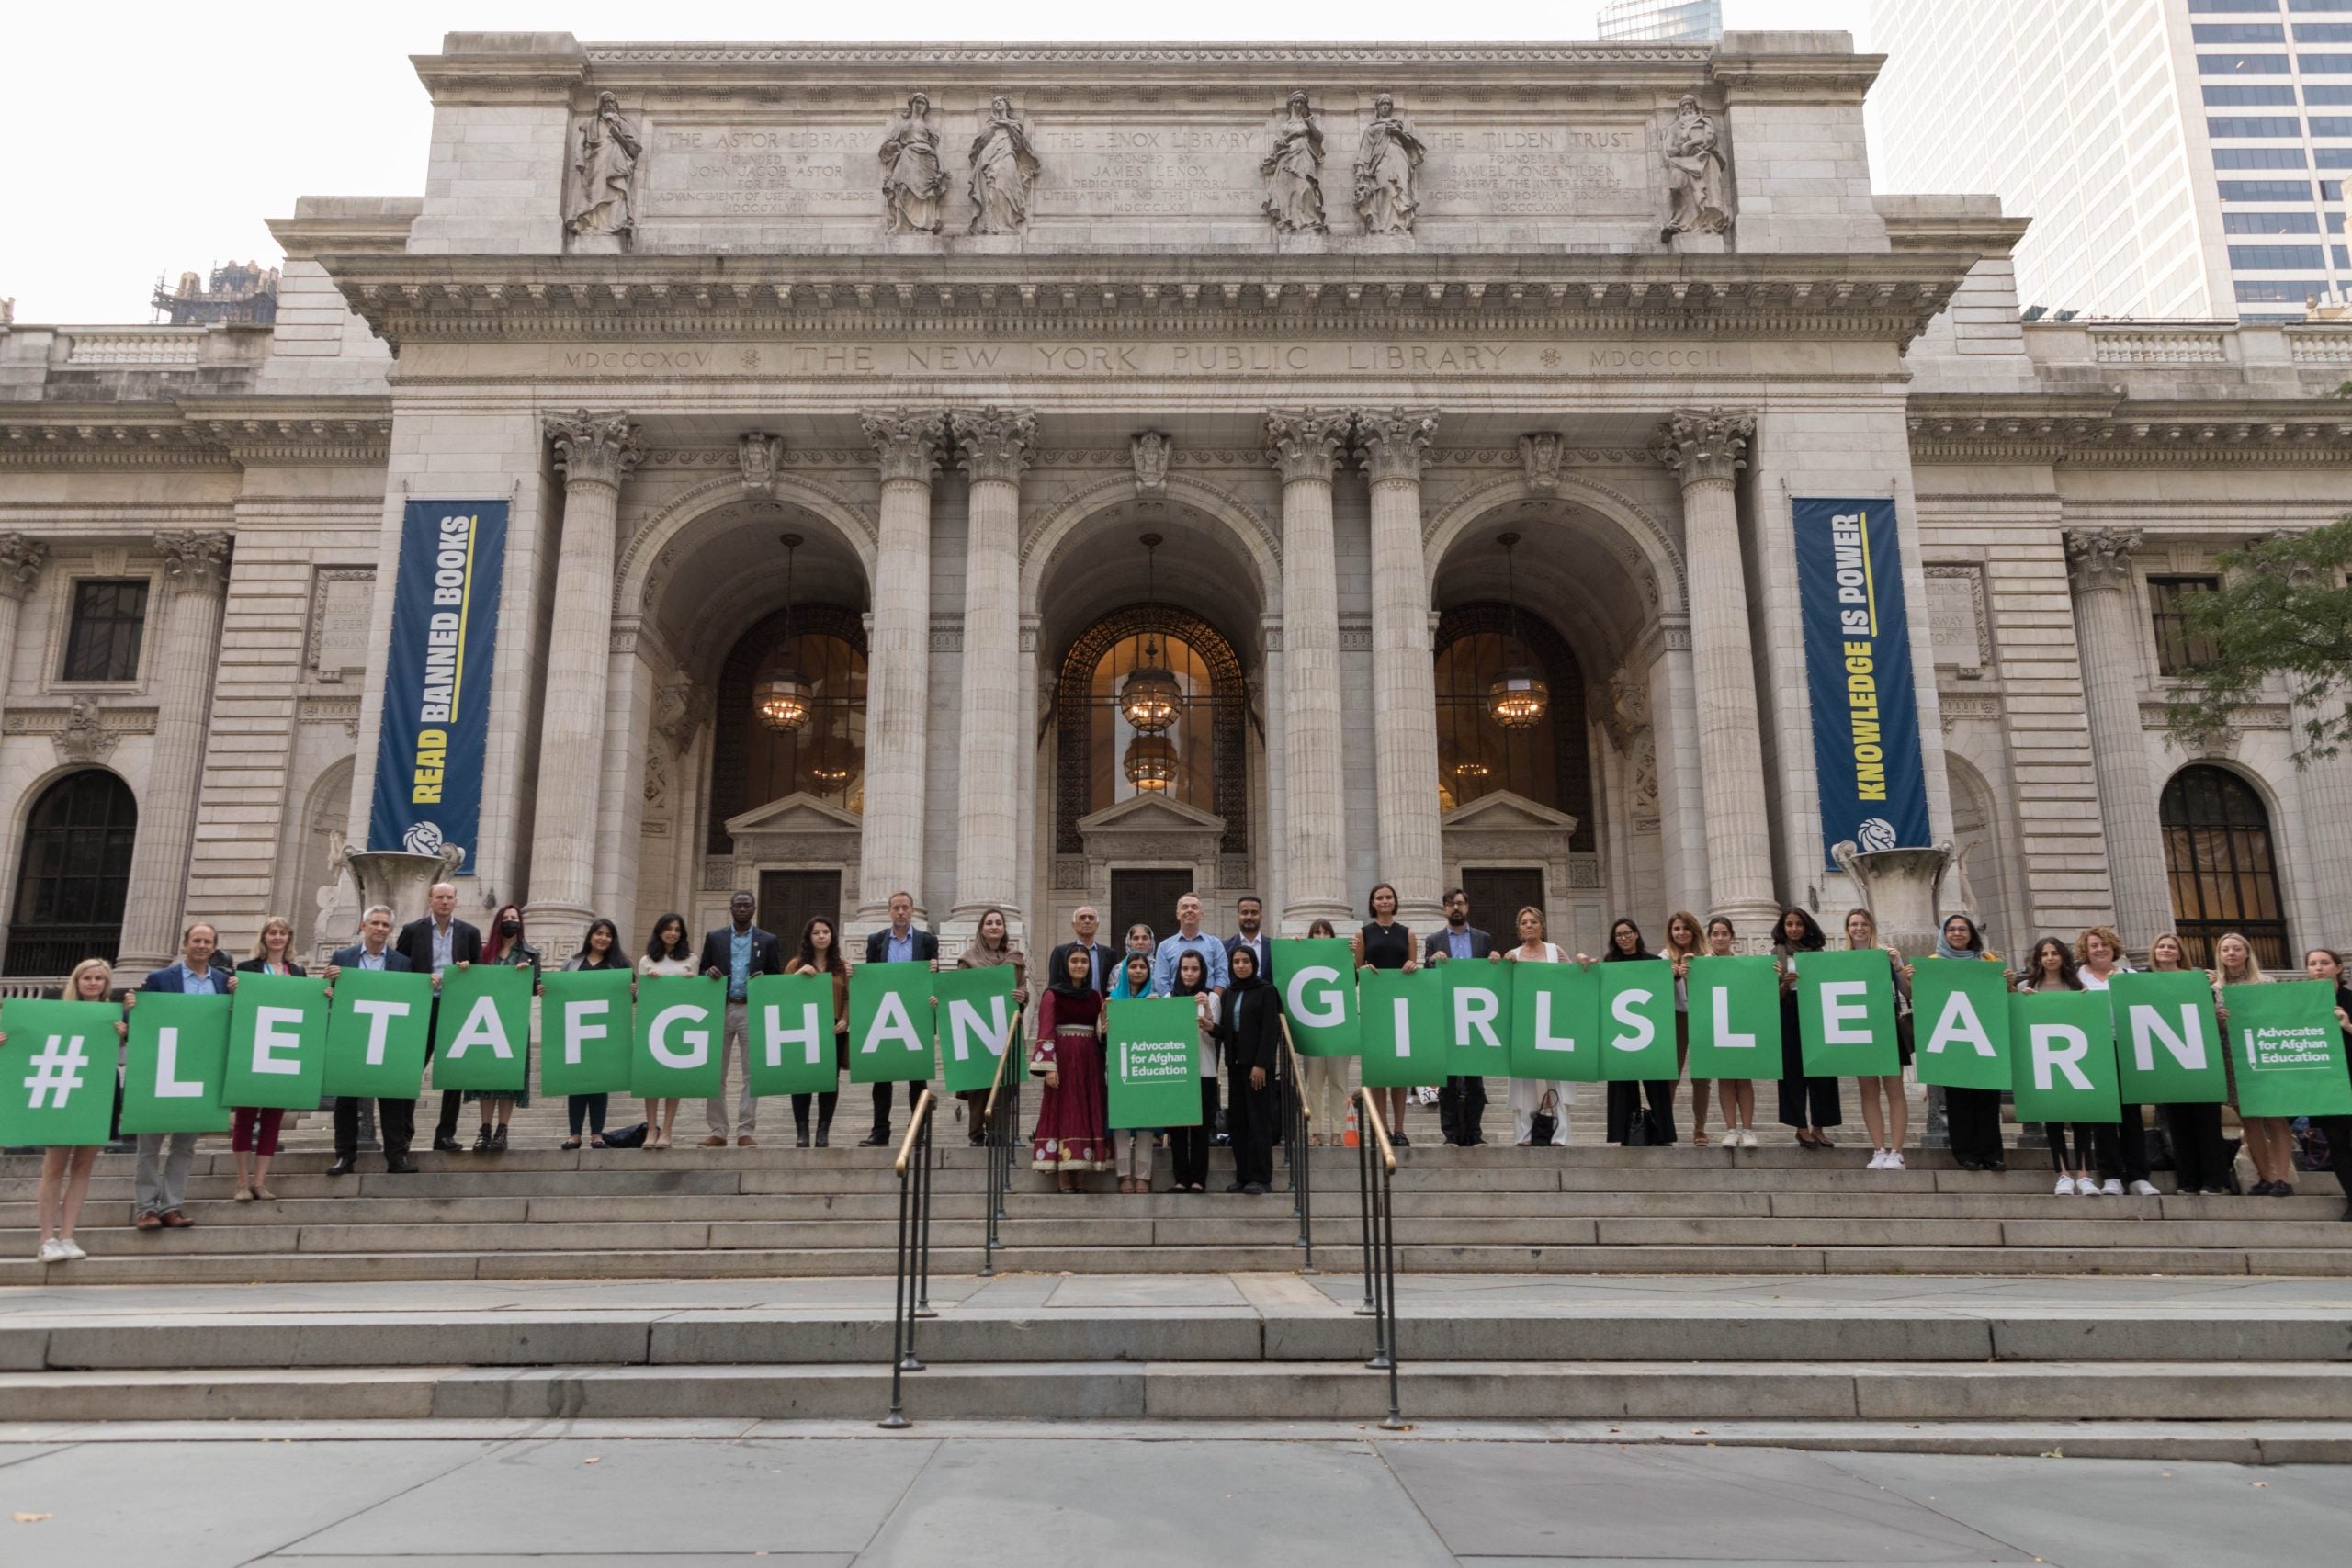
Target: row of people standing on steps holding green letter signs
x=1245, y=1066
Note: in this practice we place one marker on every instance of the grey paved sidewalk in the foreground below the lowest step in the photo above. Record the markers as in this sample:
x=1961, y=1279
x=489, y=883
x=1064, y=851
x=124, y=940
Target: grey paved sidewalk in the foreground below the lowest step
x=984, y=1501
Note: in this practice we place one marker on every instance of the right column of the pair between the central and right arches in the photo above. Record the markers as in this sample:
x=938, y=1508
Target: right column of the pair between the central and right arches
x=1403, y=669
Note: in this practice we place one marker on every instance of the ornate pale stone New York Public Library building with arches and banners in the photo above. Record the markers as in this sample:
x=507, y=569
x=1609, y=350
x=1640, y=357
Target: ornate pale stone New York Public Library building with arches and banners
x=1078, y=474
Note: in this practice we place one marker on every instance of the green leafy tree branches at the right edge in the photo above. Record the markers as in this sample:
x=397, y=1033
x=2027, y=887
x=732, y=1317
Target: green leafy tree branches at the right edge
x=2285, y=610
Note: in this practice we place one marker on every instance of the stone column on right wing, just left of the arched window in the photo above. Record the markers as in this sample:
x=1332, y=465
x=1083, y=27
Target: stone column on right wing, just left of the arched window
x=2109, y=641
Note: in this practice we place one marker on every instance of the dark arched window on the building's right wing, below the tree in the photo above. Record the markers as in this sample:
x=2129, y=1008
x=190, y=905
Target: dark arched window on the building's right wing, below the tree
x=2221, y=864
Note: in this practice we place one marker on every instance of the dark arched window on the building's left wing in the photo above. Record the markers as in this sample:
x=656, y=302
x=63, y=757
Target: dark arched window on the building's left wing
x=74, y=876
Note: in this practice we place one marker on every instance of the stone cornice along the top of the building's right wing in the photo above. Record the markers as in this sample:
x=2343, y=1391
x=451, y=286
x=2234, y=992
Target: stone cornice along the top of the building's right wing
x=2125, y=434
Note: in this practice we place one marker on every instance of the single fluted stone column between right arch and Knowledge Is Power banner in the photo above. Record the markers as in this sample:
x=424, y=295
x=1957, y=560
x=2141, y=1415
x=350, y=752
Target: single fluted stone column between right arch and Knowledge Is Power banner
x=1706, y=450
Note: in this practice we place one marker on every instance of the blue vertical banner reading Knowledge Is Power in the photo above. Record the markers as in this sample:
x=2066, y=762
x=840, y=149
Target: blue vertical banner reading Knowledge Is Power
x=1859, y=669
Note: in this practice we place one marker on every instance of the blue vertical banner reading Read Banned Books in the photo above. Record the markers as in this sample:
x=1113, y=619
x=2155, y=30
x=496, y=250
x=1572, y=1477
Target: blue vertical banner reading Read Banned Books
x=436, y=678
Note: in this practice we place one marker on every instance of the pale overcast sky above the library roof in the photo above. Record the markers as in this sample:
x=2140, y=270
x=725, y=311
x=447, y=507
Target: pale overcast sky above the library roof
x=154, y=140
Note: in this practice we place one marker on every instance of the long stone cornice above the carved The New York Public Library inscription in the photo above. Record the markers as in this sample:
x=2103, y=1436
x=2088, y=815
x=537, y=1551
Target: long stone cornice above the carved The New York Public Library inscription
x=1241, y=293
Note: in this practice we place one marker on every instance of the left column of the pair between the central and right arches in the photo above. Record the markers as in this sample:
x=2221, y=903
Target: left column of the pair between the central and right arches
x=1304, y=445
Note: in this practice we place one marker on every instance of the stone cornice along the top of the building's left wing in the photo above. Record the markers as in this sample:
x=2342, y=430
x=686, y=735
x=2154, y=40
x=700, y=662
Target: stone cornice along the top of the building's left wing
x=199, y=434
